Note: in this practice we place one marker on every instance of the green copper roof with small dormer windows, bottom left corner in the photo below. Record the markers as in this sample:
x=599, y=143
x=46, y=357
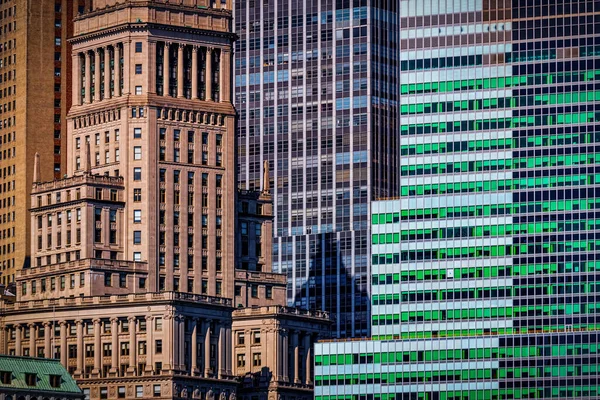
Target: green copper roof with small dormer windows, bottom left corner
x=43, y=368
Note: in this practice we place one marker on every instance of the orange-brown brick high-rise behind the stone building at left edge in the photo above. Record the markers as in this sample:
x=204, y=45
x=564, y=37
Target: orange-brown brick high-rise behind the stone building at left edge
x=35, y=70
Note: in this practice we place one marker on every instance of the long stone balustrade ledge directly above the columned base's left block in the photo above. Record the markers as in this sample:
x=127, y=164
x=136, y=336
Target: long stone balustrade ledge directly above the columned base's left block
x=115, y=300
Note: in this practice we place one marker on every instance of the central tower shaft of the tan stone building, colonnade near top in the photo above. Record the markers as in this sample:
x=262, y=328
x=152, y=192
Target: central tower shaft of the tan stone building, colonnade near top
x=154, y=106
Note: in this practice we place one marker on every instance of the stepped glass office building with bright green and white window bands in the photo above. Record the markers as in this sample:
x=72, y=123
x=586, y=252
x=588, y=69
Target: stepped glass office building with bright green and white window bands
x=484, y=270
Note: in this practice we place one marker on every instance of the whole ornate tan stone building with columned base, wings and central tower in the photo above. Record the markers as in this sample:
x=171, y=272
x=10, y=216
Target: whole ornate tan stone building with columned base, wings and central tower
x=133, y=279
